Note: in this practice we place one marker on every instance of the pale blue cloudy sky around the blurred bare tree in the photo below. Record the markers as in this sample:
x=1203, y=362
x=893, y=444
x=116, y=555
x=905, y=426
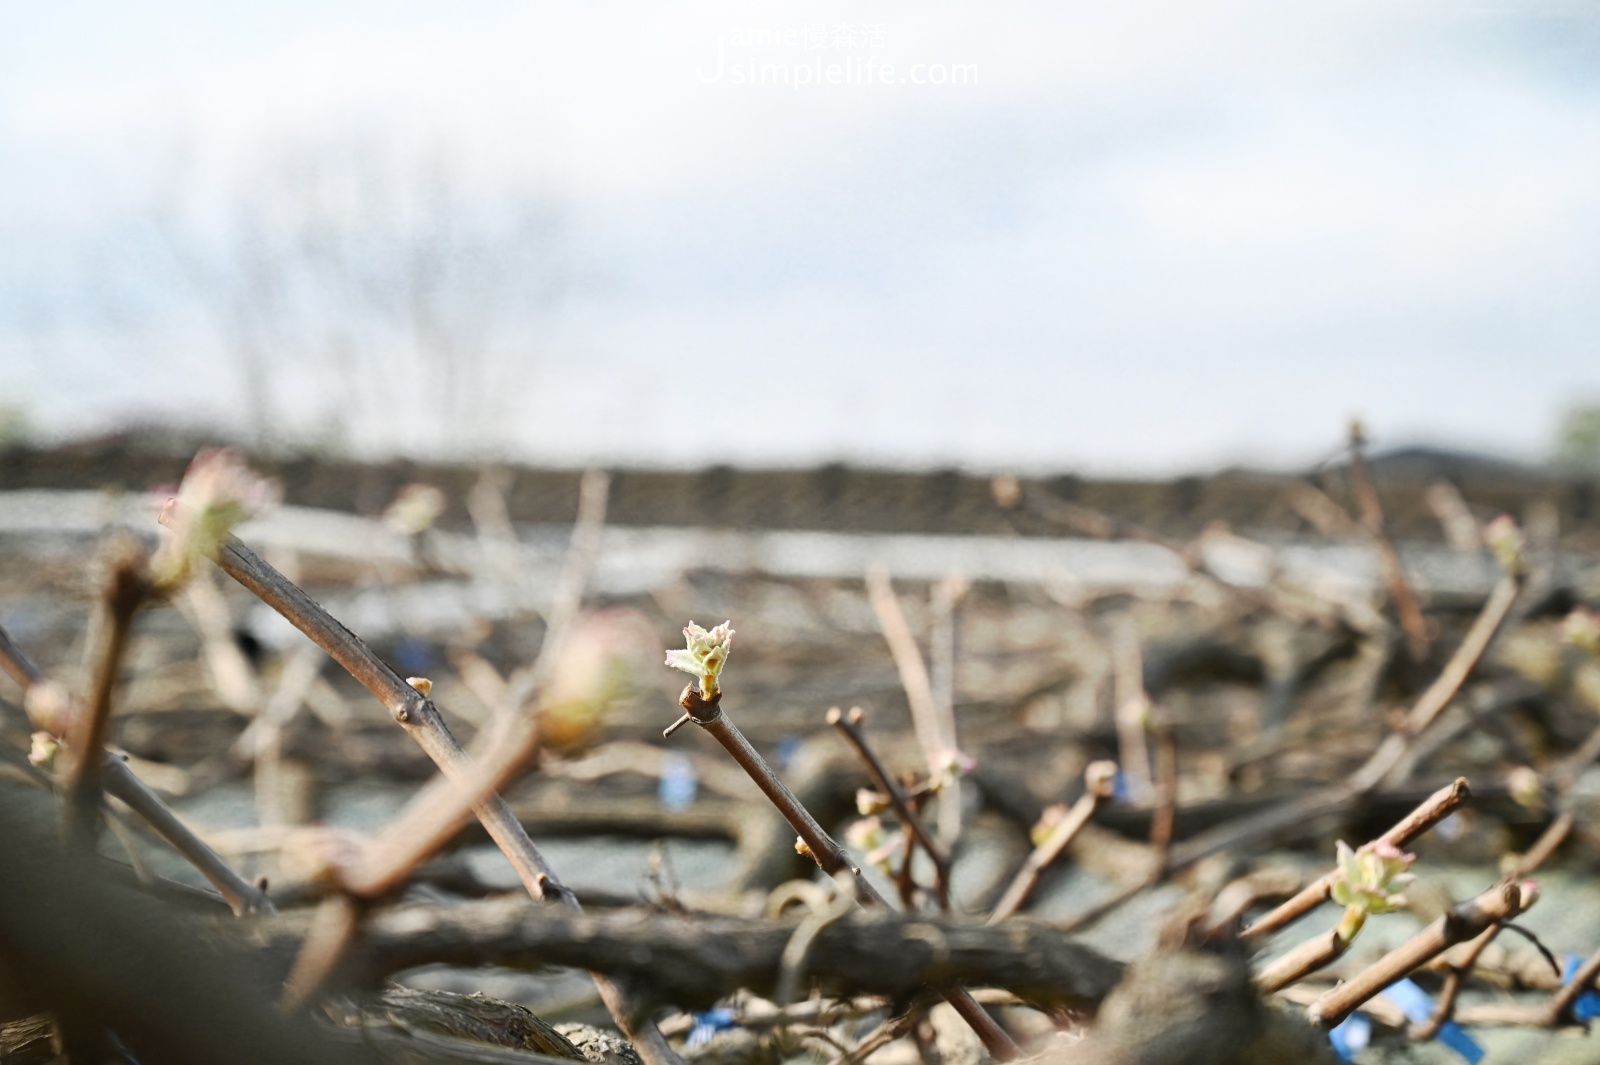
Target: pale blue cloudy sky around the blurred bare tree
x=1137, y=237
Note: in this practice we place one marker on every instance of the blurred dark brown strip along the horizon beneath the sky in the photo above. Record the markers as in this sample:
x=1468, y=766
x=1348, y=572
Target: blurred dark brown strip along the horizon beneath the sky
x=849, y=498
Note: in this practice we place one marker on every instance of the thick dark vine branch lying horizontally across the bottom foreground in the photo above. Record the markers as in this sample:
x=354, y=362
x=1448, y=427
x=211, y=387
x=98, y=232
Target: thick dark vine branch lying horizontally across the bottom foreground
x=695, y=960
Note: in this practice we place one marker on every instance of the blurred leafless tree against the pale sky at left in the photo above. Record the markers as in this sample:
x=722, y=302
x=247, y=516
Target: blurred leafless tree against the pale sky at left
x=374, y=300
